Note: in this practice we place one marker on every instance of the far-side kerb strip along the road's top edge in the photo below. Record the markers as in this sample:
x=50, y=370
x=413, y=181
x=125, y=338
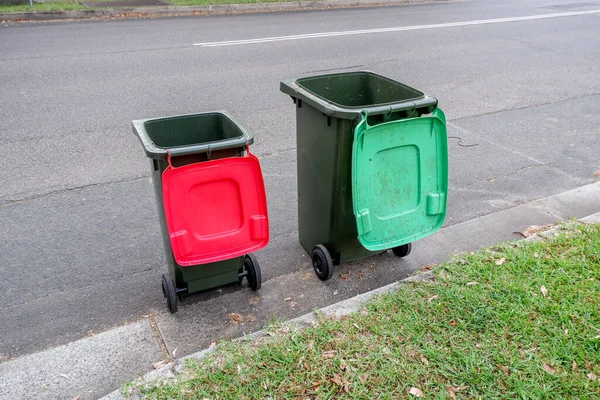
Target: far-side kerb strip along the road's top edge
x=167, y=11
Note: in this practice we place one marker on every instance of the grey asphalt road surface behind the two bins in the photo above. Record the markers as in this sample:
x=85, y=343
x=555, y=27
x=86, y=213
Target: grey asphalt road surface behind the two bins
x=80, y=245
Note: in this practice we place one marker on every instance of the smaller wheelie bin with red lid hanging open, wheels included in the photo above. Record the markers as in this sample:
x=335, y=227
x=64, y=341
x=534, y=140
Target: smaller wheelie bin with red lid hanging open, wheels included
x=211, y=201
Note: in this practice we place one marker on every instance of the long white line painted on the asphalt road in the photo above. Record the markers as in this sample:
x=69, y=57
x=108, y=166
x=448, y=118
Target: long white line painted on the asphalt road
x=394, y=29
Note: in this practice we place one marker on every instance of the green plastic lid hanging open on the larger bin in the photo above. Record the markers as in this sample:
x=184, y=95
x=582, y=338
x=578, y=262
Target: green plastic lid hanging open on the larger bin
x=399, y=180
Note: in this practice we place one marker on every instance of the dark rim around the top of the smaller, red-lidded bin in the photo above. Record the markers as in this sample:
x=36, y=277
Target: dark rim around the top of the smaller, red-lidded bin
x=160, y=153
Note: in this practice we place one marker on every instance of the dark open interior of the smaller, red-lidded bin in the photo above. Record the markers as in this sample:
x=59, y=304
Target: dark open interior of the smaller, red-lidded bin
x=189, y=130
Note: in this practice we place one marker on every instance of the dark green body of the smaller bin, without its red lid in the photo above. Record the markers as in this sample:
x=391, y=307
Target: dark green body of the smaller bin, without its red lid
x=190, y=139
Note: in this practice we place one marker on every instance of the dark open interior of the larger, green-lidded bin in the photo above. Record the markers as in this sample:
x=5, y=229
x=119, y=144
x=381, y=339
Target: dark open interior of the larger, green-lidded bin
x=359, y=89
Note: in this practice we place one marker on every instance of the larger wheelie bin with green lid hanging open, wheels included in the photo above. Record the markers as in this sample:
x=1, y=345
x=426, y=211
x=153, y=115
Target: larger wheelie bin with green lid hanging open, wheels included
x=372, y=162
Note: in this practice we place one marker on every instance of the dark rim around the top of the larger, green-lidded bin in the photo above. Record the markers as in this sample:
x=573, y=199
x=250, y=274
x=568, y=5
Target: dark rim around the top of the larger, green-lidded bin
x=297, y=92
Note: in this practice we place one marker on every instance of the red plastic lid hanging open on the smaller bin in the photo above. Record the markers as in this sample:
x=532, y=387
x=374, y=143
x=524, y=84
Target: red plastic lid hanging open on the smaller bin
x=215, y=210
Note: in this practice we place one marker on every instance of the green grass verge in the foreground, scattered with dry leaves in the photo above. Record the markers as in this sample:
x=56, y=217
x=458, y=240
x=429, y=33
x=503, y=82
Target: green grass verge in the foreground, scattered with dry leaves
x=483, y=328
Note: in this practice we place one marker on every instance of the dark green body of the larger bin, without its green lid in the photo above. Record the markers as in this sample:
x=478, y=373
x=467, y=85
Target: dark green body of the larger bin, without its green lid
x=328, y=108
